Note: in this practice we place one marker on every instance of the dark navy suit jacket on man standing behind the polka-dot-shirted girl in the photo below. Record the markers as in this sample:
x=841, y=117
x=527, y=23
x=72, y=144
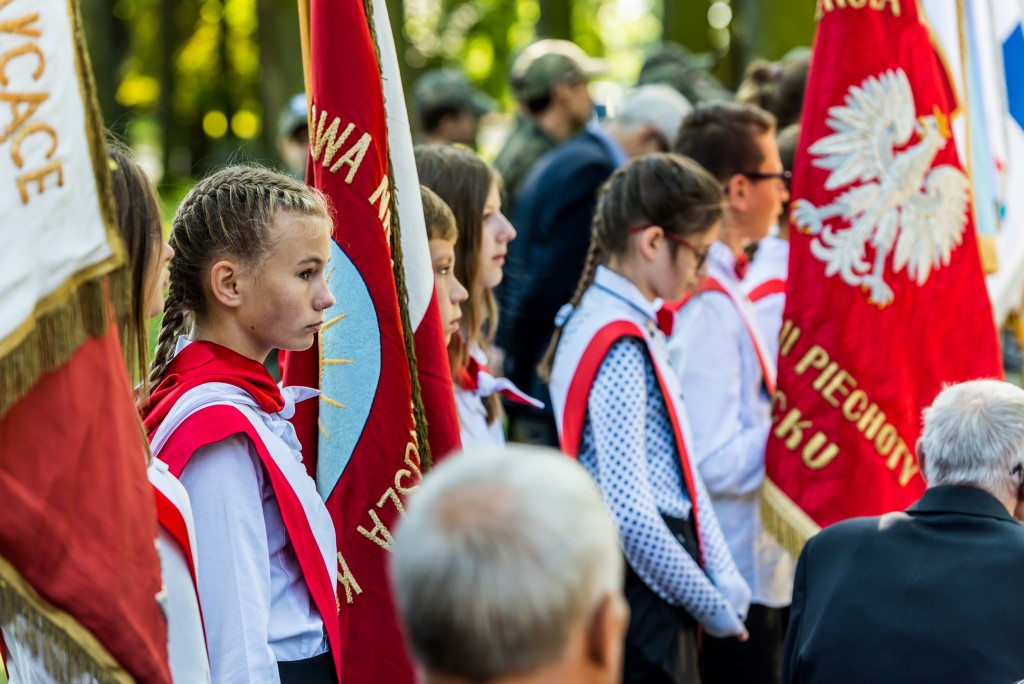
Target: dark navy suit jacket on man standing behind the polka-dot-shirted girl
x=552, y=217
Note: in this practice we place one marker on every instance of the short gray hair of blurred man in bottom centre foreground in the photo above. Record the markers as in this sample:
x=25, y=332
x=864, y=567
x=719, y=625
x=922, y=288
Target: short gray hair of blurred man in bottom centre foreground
x=502, y=553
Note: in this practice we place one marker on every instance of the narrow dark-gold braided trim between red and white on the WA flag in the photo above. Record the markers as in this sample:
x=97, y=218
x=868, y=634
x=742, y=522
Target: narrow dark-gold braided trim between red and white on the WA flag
x=398, y=268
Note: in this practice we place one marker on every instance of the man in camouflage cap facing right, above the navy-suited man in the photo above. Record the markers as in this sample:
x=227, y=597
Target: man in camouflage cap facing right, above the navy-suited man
x=550, y=80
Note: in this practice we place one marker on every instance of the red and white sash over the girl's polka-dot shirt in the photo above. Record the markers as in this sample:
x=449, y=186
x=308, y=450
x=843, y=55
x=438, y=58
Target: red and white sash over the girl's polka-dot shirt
x=600, y=322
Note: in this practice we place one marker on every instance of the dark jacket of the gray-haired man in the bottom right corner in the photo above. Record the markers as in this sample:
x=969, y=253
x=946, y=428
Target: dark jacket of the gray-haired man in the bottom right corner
x=930, y=595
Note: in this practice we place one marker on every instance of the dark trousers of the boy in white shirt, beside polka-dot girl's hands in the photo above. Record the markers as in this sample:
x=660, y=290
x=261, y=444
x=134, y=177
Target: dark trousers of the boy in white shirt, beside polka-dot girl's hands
x=758, y=661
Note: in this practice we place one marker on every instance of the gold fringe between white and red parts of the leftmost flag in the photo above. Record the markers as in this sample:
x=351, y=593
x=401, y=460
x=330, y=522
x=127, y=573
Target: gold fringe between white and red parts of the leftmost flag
x=56, y=335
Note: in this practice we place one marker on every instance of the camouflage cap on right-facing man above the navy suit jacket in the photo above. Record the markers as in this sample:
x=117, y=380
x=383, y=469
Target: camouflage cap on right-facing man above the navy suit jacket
x=548, y=62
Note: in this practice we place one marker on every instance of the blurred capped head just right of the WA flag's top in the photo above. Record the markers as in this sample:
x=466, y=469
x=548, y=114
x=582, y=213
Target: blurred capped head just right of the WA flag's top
x=449, y=109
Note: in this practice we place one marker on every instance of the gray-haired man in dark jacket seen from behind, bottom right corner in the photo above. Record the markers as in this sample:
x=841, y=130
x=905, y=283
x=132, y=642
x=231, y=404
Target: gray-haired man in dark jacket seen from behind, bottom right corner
x=931, y=594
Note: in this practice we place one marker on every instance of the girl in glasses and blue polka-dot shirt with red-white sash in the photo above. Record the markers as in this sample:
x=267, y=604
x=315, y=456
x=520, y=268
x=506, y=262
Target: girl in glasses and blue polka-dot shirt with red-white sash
x=618, y=408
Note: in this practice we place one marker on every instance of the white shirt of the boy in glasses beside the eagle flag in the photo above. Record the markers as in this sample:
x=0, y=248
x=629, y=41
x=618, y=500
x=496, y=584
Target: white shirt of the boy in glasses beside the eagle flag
x=731, y=412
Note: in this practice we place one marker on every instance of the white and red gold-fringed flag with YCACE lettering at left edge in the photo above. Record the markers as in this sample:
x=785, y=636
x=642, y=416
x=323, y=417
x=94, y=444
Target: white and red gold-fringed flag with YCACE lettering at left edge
x=80, y=580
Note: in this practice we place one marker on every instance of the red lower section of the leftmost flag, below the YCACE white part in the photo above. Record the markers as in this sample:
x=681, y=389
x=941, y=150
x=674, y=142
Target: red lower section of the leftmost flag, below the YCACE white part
x=78, y=524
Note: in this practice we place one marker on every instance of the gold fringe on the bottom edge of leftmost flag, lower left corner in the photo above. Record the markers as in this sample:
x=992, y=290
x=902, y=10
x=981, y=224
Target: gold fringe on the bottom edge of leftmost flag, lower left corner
x=67, y=650
